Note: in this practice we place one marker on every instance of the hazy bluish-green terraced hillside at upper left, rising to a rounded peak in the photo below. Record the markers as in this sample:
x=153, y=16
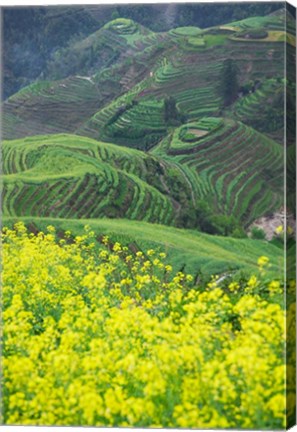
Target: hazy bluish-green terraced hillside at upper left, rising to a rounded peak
x=83, y=77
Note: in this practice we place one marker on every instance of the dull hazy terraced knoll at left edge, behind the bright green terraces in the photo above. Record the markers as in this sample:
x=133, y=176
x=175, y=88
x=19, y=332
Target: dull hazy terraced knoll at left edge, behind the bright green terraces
x=50, y=107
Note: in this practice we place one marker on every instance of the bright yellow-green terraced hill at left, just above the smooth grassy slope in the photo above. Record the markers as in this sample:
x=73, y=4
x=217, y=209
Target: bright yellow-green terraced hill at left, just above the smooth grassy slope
x=90, y=179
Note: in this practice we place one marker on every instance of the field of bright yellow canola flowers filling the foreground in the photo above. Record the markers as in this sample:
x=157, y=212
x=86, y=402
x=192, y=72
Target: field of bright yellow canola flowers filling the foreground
x=109, y=338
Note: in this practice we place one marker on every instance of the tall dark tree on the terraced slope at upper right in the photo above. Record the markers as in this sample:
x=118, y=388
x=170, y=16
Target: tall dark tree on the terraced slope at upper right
x=229, y=82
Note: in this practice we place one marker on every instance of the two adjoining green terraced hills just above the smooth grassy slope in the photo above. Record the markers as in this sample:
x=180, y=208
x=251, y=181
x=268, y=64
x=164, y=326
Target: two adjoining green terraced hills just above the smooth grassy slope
x=231, y=167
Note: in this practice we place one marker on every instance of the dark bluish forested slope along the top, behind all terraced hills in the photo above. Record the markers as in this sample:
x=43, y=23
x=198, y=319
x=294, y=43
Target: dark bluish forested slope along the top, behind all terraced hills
x=31, y=35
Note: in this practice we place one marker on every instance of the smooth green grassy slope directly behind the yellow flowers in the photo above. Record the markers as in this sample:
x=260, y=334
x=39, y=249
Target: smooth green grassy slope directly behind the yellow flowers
x=187, y=249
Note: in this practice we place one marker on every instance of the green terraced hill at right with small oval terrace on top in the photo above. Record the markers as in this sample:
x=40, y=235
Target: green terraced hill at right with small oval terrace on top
x=236, y=167
